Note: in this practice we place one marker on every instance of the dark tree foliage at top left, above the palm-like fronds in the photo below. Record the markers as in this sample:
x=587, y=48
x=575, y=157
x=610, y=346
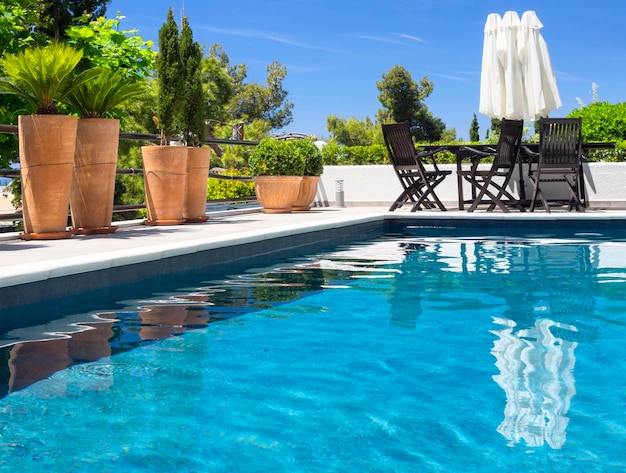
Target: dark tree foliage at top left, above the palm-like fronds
x=56, y=16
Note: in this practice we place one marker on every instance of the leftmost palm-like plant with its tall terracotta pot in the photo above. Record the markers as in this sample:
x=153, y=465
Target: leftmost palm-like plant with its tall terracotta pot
x=42, y=77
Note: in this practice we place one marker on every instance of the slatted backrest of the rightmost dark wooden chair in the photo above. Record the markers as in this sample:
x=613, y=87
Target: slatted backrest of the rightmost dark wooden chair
x=560, y=142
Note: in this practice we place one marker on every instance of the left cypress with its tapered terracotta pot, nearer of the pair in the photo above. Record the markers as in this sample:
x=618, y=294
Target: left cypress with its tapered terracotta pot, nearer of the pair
x=165, y=167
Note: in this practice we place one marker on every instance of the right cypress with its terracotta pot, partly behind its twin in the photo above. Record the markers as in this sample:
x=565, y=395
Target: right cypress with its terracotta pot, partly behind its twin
x=193, y=127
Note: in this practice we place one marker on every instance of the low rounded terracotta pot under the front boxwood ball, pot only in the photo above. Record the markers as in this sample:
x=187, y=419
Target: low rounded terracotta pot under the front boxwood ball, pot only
x=277, y=194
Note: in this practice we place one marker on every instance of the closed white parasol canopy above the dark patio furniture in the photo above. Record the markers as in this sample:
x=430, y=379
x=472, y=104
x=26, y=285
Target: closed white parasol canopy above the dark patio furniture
x=517, y=80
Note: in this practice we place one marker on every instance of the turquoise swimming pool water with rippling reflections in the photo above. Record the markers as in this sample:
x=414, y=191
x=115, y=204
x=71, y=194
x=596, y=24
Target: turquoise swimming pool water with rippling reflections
x=408, y=353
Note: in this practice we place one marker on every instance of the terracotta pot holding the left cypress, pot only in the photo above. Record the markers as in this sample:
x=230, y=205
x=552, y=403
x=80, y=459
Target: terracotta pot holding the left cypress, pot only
x=165, y=179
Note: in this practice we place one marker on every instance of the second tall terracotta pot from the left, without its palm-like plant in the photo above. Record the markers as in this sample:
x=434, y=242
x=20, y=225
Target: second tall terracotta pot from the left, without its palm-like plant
x=95, y=163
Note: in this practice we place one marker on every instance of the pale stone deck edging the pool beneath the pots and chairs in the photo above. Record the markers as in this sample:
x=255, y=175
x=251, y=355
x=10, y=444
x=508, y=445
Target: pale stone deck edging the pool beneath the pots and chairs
x=25, y=262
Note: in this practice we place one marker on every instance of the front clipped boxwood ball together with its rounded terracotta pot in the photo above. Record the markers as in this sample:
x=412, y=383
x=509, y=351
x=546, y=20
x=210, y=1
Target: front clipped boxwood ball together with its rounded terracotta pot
x=277, y=167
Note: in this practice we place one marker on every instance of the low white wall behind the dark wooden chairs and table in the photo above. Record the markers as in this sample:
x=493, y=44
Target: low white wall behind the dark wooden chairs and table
x=378, y=184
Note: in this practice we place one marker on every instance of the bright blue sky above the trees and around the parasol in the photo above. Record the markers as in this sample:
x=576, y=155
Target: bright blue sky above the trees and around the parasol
x=336, y=50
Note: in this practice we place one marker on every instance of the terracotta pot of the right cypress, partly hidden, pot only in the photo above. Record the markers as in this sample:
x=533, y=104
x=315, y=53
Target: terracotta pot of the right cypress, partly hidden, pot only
x=198, y=159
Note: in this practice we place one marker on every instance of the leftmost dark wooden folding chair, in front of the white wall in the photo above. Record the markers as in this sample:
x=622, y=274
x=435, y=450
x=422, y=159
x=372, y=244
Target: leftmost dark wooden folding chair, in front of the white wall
x=418, y=183
